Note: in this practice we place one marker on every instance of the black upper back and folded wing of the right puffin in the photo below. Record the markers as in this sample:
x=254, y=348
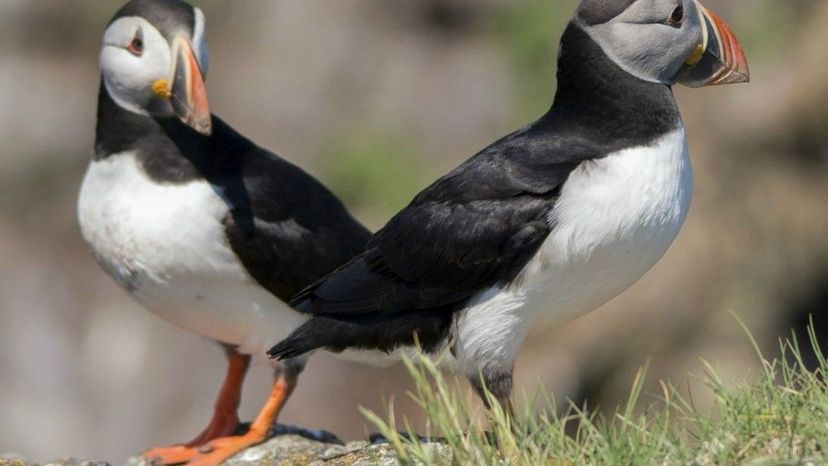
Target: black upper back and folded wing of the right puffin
x=474, y=228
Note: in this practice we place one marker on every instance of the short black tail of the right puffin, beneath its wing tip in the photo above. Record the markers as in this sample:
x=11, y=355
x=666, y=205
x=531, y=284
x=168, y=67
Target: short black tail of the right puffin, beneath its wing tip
x=377, y=331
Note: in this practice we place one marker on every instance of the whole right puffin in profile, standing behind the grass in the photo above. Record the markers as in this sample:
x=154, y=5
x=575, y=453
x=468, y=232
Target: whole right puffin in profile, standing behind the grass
x=548, y=222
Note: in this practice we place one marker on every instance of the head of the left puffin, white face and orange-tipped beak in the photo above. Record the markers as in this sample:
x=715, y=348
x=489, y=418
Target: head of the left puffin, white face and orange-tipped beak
x=154, y=59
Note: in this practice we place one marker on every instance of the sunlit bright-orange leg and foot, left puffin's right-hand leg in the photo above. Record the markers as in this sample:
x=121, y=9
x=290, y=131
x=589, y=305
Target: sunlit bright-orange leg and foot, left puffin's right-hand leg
x=218, y=450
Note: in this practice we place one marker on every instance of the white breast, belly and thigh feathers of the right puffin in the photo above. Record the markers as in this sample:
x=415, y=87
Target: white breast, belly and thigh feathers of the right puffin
x=614, y=220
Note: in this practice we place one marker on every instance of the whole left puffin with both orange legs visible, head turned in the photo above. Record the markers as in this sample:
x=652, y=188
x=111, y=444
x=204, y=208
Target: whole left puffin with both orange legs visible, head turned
x=200, y=225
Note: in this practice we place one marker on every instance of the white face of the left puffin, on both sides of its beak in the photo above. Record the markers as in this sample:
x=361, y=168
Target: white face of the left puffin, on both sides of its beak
x=135, y=56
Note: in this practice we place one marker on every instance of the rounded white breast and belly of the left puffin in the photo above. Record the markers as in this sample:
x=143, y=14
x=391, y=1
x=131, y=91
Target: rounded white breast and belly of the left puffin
x=165, y=243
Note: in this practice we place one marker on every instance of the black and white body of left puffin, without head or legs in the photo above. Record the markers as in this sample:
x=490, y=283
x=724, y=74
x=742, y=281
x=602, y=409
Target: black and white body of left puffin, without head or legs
x=204, y=230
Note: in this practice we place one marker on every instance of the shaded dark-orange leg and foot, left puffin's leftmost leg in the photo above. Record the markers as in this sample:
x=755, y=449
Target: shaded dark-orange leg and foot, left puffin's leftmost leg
x=225, y=419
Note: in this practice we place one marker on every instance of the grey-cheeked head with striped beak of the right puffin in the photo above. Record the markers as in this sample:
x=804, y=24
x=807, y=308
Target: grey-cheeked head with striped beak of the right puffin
x=665, y=41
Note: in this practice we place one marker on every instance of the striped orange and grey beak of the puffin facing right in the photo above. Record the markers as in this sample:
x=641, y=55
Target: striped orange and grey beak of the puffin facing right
x=719, y=59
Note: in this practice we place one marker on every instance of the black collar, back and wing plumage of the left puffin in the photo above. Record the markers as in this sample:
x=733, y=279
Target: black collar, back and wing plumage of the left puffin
x=286, y=228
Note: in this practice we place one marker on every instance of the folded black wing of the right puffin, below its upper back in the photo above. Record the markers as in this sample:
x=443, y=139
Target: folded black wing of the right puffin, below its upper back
x=434, y=254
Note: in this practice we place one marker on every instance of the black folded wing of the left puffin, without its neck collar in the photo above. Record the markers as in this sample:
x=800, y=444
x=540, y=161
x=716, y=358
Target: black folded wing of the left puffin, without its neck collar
x=287, y=229
